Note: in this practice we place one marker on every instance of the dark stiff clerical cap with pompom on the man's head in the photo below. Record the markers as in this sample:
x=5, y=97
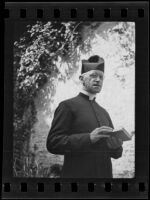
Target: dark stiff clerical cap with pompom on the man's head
x=93, y=63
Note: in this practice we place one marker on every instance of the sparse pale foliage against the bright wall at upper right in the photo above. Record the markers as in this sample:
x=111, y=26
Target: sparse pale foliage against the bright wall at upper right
x=123, y=35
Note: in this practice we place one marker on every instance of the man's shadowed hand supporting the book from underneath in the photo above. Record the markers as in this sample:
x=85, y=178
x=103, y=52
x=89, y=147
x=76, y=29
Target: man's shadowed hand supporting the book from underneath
x=114, y=143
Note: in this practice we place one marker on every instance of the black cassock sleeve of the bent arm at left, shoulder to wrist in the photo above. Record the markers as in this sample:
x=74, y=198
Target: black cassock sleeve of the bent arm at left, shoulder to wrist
x=60, y=140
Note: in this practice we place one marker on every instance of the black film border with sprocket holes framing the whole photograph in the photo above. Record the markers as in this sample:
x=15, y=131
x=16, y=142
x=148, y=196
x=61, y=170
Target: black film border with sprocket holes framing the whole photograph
x=141, y=102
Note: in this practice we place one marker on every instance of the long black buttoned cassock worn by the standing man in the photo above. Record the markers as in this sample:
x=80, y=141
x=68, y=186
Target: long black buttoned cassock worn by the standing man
x=69, y=135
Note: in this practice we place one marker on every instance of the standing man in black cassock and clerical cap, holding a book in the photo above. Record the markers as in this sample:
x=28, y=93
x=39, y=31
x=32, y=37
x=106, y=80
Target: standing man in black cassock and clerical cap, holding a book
x=79, y=129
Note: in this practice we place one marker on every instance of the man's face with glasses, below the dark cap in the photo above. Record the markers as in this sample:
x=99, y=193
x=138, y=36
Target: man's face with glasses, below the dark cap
x=92, y=81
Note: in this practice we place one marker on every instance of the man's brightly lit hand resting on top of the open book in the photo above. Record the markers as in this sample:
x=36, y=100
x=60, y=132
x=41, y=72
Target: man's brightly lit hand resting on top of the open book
x=99, y=133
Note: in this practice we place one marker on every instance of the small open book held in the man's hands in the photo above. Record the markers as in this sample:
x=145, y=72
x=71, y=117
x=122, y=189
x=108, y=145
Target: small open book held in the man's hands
x=121, y=133
